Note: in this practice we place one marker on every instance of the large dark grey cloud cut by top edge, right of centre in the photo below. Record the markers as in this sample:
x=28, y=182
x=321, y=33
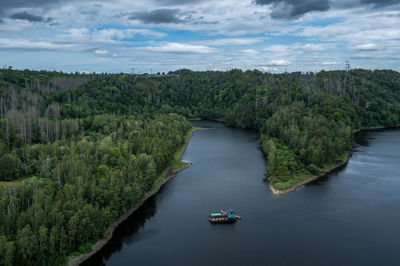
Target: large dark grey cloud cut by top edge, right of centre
x=289, y=9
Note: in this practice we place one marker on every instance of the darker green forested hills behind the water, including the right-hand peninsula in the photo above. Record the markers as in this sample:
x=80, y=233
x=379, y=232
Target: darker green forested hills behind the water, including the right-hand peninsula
x=306, y=120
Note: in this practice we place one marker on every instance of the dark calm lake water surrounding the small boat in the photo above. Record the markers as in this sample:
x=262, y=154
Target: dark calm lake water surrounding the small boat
x=351, y=217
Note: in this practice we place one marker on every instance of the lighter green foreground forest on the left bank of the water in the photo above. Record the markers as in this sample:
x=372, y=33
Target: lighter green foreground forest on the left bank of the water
x=79, y=185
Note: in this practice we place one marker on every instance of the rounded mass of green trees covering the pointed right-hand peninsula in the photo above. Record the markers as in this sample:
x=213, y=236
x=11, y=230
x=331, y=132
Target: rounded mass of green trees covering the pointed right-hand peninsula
x=304, y=142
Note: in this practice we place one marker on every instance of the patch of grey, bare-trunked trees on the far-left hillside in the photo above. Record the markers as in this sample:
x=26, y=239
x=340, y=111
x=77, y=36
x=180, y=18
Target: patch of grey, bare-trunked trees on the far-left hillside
x=25, y=114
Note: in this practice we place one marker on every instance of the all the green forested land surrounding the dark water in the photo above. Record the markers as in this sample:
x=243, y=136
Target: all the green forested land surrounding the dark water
x=80, y=150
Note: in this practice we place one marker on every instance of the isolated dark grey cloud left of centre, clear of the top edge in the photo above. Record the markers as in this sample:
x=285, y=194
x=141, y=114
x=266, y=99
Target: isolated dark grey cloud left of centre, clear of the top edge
x=158, y=16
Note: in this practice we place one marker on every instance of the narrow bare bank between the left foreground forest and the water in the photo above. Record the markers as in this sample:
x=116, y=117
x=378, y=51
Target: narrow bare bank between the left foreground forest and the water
x=168, y=174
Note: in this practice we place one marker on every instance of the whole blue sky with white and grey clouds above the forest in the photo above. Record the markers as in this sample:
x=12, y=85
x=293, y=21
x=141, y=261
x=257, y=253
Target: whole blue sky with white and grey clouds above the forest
x=162, y=35
